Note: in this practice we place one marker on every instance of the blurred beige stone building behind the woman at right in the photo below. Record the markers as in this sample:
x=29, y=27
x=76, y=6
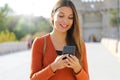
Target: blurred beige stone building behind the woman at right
x=95, y=19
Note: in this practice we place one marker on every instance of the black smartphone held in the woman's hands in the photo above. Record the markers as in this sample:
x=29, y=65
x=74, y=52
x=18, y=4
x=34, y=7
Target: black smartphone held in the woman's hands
x=69, y=50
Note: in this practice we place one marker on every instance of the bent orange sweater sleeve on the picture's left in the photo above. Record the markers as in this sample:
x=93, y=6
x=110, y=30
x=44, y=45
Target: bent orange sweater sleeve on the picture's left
x=37, y=72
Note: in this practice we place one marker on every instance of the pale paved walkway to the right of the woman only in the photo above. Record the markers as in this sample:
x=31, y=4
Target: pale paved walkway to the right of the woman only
x=102, y=64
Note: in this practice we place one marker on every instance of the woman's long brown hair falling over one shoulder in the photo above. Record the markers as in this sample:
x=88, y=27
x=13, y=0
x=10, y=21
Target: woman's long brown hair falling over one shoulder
x=74, y=33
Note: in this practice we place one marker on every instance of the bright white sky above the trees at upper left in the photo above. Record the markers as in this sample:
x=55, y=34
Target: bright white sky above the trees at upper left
x=30, y=7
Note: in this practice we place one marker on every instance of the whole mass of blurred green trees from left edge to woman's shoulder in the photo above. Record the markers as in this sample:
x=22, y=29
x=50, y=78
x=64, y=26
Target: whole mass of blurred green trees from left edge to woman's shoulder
x=21, y=25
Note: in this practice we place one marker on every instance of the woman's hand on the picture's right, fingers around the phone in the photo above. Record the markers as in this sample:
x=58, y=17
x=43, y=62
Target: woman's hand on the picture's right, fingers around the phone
x=73, y=62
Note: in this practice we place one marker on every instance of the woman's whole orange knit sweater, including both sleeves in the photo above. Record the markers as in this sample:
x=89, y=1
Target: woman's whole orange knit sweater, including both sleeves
x=45, y=73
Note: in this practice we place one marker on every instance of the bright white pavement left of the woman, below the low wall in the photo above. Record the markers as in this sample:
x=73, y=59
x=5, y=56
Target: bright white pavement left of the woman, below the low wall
x=15, y=66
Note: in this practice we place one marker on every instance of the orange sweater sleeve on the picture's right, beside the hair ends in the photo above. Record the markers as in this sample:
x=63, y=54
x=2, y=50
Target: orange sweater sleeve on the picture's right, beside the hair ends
x=83, y=74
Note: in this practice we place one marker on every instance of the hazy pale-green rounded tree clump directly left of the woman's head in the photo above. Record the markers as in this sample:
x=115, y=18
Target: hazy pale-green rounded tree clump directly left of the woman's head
x=31, y=25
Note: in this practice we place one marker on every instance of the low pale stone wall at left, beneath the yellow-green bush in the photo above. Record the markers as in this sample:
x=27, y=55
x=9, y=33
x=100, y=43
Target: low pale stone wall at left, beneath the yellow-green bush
x=9, y=47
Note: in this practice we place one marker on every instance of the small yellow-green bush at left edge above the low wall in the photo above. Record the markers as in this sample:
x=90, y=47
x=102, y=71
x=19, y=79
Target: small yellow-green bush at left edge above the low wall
x=6, y=36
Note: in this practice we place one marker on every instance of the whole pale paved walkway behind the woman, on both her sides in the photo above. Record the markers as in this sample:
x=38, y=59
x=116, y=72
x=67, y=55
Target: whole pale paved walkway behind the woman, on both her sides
x=102, y=64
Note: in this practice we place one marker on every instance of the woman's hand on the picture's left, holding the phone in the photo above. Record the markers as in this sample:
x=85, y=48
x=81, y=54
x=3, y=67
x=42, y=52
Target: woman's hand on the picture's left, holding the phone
x=59, y=63
